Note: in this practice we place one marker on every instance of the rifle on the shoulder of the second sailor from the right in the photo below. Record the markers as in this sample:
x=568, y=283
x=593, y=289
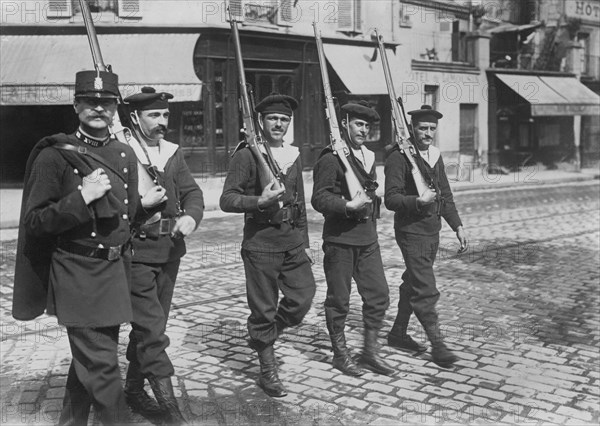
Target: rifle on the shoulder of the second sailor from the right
x=338, y=145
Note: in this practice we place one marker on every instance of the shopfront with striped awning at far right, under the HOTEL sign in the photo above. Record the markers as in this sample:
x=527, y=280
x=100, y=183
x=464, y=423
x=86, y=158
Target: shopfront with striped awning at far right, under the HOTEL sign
x=536, y=117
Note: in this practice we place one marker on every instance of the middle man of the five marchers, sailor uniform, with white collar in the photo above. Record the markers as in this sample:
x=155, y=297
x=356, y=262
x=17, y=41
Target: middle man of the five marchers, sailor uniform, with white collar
x=275, y=248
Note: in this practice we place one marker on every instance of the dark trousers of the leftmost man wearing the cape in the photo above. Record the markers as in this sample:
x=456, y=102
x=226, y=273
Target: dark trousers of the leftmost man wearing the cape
x=94, y=378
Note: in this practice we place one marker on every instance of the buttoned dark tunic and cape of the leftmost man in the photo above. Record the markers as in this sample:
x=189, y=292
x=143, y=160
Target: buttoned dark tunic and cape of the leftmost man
x=81, y=291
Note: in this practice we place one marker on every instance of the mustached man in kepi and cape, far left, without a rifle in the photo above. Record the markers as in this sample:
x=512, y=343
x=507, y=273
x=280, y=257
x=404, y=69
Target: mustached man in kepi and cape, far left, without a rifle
x=74, y=252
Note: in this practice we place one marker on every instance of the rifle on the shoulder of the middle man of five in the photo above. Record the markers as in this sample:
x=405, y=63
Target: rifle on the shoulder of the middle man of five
x=268, y=170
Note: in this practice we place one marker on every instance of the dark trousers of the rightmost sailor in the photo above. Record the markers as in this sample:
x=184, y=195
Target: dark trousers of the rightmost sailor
x=418, y=281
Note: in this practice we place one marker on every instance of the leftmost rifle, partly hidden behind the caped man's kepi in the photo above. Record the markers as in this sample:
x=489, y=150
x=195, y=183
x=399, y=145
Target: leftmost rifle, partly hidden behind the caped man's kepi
x=122, y=132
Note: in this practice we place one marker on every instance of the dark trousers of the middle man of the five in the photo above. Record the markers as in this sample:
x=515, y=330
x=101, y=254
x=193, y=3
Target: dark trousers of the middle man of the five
x=266, y=274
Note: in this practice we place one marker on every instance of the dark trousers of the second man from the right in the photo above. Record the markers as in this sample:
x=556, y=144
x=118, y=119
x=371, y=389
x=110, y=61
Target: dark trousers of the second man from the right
x=363, y=263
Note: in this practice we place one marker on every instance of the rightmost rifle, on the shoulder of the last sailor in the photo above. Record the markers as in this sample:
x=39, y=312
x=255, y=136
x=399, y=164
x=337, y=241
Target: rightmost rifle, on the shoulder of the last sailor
x=398, y=117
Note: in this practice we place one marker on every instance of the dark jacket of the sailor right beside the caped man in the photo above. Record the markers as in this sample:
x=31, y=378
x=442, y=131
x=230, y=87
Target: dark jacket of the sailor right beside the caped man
x=183, y=196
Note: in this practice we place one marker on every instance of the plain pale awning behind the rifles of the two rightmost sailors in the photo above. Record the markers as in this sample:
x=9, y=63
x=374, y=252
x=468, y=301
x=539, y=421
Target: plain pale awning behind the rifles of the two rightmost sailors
x=354, y=67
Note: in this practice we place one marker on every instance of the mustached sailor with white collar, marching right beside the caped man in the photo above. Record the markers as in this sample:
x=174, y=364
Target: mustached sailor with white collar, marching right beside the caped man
x=158, y=246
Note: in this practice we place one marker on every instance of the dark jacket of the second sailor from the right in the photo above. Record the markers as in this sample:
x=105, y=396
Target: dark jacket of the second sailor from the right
x=330, y=194
